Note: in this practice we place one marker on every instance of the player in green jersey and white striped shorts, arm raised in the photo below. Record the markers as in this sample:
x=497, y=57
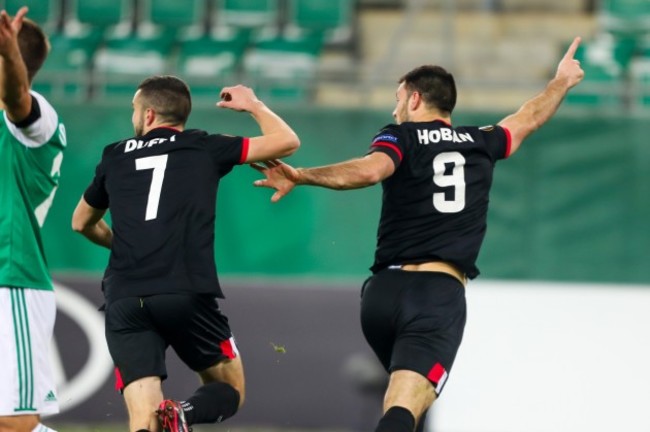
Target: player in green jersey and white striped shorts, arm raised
x=32, y=141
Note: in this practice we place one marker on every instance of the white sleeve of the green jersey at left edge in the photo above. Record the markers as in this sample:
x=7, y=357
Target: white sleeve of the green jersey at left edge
x=38, y=127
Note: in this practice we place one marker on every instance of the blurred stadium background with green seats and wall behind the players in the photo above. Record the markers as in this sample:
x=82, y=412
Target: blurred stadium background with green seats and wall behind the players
x=557, y=331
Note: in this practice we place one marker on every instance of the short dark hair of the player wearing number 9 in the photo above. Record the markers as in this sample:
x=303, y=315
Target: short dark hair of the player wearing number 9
x=435, y=84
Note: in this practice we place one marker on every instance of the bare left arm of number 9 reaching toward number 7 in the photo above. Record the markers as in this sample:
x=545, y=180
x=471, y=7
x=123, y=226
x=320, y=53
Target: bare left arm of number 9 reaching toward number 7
x=352, y=174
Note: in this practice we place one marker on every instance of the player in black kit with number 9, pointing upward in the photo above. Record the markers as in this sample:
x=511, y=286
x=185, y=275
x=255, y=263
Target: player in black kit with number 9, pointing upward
x=436, y=180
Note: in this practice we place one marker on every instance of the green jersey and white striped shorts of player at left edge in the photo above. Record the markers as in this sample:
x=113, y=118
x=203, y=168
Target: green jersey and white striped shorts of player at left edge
x=31, y=153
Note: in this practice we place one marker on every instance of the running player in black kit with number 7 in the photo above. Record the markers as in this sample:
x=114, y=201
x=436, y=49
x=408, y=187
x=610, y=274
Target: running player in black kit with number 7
x=161, y=285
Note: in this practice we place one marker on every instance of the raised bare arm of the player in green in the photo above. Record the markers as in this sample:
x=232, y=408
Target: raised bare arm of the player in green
x=14, y=86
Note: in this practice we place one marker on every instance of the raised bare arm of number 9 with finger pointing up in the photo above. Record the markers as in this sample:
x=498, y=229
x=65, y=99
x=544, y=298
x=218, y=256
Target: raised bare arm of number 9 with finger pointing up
x=538, y=110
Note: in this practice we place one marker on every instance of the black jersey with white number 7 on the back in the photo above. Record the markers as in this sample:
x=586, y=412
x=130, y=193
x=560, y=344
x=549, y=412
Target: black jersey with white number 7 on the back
x=161, y=189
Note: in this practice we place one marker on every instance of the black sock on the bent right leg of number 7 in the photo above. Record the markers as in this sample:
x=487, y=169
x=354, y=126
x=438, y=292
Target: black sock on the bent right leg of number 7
x=211, y=403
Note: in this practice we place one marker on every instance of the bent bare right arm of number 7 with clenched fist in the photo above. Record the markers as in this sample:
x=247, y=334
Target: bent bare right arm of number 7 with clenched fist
x=277, y=140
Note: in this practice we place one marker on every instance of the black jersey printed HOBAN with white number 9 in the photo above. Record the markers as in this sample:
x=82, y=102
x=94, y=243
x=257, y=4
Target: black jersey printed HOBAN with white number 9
x=435, y=203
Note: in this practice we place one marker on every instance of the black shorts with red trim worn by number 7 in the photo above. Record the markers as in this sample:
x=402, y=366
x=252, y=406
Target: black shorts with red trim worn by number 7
x=139, y=330
